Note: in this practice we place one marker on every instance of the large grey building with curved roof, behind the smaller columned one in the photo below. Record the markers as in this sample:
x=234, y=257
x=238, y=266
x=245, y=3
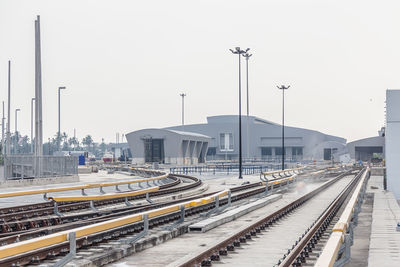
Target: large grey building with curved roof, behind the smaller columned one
x=261, y=140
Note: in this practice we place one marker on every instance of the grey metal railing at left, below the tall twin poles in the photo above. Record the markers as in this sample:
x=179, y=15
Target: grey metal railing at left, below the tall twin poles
x=29, y=166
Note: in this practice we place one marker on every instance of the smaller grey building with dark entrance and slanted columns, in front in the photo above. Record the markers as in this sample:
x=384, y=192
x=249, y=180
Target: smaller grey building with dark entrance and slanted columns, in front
x=167, y=146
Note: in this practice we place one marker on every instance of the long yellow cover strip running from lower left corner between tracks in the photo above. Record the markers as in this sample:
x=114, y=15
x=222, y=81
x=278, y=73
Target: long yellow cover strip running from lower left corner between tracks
x=53, y=239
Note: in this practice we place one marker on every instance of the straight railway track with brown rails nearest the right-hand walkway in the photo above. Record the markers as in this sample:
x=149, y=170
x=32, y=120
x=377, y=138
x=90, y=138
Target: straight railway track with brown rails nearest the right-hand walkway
x=297, y=253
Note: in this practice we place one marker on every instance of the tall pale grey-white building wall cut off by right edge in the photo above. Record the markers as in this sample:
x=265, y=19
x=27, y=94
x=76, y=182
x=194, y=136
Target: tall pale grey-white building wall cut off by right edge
x=392, y=137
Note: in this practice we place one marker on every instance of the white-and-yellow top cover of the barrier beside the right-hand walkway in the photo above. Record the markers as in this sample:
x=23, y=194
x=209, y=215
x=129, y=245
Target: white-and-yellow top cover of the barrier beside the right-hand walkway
x=331, y=249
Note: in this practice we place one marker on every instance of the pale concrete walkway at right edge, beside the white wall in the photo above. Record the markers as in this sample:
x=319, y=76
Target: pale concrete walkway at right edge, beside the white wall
x=384, y=248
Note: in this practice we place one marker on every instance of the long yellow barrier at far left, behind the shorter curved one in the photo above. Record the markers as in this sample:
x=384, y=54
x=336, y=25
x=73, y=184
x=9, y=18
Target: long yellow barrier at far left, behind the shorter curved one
x=79, y=187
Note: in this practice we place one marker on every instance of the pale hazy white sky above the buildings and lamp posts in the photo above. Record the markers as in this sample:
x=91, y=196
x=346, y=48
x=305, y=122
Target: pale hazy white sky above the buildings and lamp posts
x=124, y=63
